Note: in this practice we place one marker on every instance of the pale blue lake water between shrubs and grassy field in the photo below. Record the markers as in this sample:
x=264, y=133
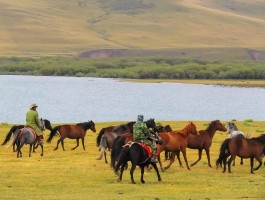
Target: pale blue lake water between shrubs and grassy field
x=71, y=99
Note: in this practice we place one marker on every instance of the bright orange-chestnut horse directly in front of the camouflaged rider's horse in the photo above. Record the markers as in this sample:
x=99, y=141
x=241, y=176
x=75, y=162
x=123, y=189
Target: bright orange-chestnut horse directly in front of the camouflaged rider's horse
x=175, y=142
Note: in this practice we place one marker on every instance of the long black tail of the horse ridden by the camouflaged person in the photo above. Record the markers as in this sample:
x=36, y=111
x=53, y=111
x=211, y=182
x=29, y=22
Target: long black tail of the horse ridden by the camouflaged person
x=117, y=147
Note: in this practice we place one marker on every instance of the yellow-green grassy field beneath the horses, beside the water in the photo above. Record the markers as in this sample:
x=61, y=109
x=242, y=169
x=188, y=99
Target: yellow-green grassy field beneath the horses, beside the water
x=78, y=175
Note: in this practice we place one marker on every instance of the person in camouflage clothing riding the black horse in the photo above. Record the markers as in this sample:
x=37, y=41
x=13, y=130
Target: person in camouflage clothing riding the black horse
x=141, y=134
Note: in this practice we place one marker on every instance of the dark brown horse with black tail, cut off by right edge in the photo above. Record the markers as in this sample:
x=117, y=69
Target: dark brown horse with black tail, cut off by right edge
x=244, y=148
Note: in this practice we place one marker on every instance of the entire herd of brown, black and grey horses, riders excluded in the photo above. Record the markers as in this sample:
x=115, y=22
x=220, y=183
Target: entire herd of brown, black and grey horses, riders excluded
x=119, y=141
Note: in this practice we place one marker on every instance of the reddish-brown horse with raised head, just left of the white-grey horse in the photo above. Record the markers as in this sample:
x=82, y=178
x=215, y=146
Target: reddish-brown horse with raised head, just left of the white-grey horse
x=204, y=140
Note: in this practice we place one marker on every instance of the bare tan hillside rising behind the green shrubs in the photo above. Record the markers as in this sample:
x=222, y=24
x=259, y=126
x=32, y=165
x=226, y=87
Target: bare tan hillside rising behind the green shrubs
x=69, y=27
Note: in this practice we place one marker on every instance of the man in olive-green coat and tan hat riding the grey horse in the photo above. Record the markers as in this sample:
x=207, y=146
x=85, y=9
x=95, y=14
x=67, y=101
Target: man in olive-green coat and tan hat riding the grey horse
x=33, y=121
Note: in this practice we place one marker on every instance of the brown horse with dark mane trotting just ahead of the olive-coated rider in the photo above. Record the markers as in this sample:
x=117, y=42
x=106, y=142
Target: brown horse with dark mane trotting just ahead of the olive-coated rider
x=72, y=131
